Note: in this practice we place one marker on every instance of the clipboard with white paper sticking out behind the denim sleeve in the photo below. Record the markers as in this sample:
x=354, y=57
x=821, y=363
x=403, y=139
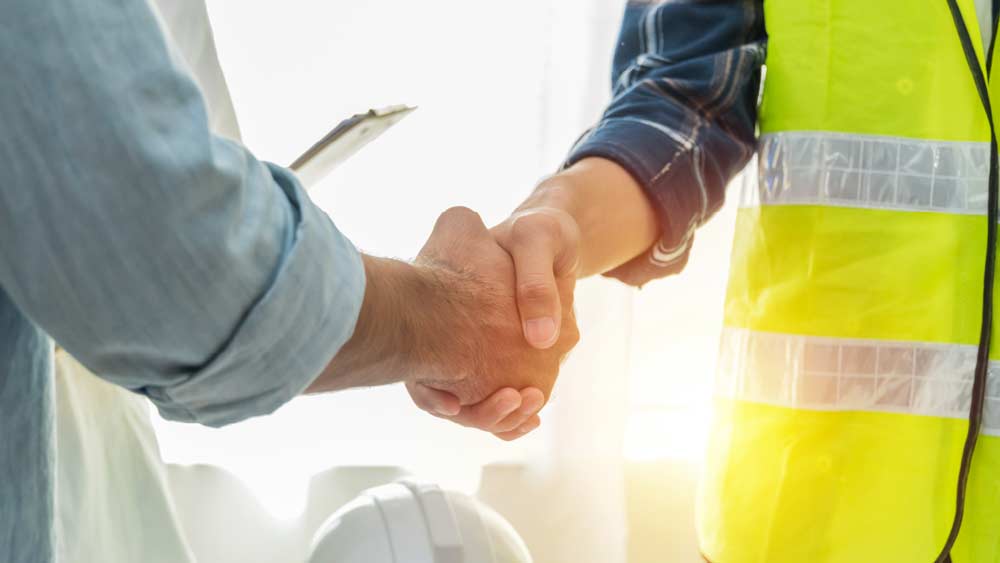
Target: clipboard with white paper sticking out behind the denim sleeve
x=346, y=139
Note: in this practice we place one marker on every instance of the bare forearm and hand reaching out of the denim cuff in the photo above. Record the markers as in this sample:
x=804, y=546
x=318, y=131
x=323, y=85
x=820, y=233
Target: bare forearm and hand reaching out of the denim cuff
x=449, y=327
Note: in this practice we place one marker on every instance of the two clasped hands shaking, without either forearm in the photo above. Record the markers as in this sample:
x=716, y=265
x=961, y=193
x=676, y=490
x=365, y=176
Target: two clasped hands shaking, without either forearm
x=503, y=318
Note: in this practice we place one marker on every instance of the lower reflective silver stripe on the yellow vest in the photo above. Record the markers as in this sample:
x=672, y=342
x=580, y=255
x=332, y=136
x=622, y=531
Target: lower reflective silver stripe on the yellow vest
x=836, y=374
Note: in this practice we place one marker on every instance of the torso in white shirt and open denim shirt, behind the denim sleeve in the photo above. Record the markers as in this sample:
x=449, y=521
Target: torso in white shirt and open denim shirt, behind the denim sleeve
x=100, y=493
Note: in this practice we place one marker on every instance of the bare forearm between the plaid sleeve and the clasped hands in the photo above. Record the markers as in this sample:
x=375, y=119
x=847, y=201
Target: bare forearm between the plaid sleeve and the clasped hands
x=615, y=217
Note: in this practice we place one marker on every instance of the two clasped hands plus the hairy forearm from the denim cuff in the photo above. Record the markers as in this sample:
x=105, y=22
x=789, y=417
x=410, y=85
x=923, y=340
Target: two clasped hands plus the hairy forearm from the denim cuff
x=476, y=326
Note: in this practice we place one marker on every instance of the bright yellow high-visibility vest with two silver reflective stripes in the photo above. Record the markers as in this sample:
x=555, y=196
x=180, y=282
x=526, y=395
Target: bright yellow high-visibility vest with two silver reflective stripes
x=854, y=308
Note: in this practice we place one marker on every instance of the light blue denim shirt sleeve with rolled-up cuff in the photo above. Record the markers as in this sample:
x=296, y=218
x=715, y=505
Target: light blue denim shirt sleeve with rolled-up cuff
x=166, y=259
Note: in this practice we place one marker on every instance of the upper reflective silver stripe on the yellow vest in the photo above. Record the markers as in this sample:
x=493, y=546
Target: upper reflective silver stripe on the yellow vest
x=835, y=169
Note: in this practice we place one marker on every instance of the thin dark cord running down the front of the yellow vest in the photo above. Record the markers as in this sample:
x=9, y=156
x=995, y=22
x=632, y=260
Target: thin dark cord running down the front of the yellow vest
x=983, y=352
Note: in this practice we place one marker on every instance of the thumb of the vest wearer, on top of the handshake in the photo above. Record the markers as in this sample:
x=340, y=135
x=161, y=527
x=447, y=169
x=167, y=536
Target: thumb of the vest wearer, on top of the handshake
x=534, y=246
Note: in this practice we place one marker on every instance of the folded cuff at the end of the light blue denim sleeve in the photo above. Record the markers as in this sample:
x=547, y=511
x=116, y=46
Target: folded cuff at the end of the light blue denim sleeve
x=289, y=336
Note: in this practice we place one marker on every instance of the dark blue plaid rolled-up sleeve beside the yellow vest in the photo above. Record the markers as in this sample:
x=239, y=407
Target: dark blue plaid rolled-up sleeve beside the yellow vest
x=682, y=121
